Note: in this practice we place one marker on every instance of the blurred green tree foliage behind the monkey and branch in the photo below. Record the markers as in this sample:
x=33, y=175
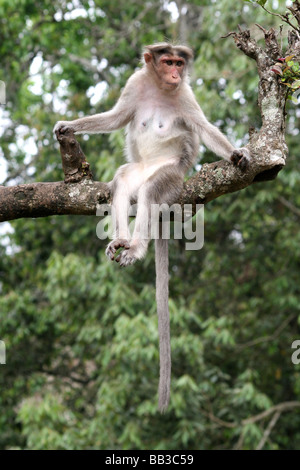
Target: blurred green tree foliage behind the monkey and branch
x=81, y=336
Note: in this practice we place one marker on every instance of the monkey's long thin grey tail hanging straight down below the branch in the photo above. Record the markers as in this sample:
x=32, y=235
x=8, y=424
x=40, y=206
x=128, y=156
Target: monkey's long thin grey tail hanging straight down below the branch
x=162, y=296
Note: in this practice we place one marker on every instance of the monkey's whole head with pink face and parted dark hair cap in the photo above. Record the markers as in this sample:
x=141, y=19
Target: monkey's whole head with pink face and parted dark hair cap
x=170, y=63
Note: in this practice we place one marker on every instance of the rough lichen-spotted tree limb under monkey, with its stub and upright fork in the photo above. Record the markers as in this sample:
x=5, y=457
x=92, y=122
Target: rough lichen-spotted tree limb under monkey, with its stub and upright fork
x=79, y=194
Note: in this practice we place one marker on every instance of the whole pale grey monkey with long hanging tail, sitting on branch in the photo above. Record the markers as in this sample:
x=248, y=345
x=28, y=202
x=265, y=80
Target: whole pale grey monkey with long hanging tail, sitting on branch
x=164, y=127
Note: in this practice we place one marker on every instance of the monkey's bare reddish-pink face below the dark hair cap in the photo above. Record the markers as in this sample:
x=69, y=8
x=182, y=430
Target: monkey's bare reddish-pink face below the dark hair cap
x=169, y=69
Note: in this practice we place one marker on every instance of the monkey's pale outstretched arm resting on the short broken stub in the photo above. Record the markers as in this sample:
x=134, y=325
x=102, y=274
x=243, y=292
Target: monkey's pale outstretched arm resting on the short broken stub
x=119, y=116
